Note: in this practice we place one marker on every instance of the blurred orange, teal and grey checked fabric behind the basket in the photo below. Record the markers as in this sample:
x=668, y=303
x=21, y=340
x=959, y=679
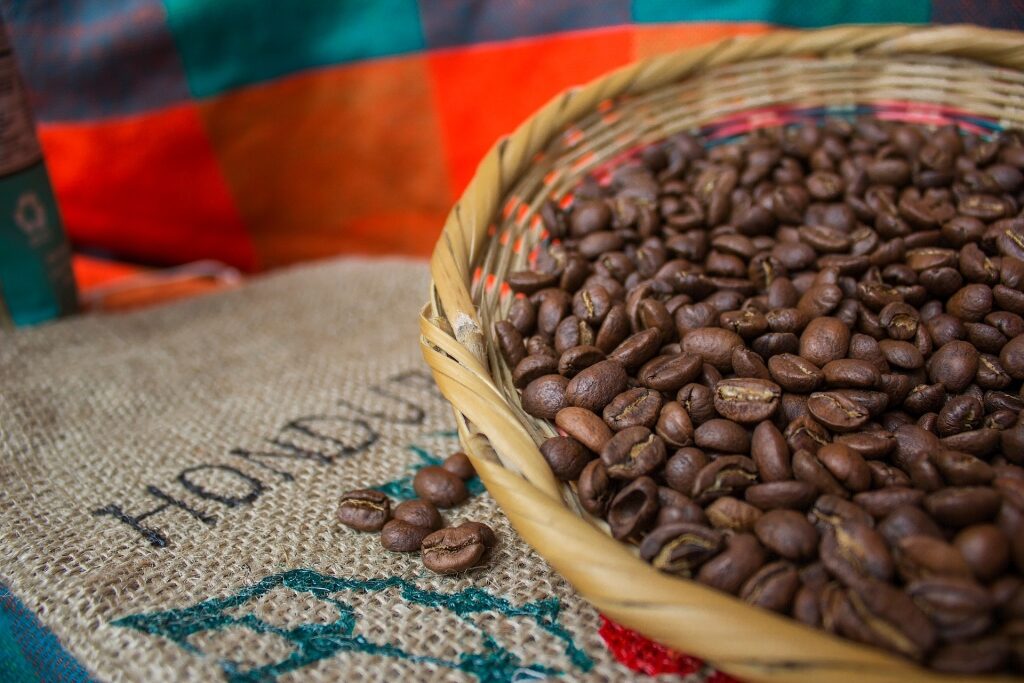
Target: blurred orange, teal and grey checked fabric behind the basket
x=261, y=134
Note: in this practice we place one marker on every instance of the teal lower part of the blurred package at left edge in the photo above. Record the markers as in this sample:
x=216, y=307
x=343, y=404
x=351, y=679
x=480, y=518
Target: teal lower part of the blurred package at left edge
x=35, y=261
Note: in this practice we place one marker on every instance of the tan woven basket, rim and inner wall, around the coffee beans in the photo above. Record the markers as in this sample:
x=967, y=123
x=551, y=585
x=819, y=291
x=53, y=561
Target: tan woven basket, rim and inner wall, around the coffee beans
x=967, y=76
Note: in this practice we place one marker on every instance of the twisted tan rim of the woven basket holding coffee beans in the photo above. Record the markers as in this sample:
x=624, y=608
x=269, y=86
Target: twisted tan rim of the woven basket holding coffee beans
x=454, y=346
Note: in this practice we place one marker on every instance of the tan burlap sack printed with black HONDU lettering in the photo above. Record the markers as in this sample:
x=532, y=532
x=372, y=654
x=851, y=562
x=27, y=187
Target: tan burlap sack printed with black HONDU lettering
x=169, y=483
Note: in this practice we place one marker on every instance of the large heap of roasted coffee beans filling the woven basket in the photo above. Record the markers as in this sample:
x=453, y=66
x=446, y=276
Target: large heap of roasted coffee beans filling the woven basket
x=790, y=368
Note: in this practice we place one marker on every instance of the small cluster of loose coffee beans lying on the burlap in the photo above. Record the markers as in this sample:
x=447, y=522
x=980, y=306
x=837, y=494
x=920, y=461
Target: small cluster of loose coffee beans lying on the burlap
x=416, y=526
